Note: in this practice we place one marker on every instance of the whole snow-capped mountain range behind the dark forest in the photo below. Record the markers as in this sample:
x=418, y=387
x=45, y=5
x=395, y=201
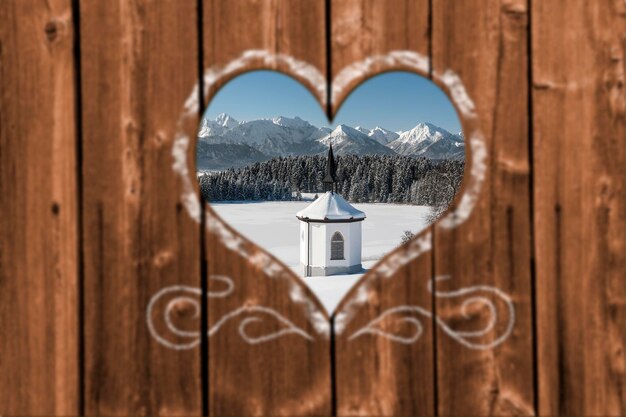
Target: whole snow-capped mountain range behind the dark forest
x=227, y=143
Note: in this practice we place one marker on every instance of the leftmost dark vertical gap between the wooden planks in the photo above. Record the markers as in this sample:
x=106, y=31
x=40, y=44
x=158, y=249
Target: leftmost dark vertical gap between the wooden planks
x=80, y=267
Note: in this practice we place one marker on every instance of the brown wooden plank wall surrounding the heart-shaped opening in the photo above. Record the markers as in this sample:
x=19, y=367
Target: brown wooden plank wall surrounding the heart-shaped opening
x=120, y=294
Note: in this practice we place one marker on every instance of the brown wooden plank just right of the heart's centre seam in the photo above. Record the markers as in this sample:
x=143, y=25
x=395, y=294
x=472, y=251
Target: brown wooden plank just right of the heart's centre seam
x=375, y=375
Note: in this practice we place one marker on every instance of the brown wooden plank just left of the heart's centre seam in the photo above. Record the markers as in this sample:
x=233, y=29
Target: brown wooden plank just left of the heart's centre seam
x=290, y=374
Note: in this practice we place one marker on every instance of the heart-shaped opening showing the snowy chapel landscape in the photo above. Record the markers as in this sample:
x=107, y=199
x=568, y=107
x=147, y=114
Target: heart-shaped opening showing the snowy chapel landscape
x=265, y=164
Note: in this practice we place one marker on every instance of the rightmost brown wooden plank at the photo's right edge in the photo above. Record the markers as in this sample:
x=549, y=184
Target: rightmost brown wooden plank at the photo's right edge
x=578, y=121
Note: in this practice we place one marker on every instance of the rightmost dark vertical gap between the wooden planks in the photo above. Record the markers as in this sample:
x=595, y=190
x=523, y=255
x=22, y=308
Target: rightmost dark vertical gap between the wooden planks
x=531, y=211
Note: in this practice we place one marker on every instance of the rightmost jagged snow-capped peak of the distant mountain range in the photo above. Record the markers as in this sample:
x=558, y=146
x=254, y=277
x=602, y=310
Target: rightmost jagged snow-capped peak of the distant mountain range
x=429, y=141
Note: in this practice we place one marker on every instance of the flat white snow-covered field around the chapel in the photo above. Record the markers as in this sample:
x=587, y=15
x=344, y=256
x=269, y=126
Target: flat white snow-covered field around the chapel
x=273, y=225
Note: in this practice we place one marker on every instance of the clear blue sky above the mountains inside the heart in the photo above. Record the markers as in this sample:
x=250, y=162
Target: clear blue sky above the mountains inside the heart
x=393, y=100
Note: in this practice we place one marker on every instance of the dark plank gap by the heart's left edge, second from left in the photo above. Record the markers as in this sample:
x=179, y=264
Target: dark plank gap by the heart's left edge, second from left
x=204, y=308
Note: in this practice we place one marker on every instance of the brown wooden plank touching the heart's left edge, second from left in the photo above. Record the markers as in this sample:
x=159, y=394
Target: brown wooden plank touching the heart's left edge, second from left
x=139, y=65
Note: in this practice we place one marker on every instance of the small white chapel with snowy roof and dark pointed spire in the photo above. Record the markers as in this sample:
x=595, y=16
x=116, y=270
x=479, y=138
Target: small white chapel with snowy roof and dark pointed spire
x=330, y=231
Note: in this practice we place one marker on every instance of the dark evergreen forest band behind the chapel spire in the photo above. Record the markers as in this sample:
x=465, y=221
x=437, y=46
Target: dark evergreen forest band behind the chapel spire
x=362, y=178
